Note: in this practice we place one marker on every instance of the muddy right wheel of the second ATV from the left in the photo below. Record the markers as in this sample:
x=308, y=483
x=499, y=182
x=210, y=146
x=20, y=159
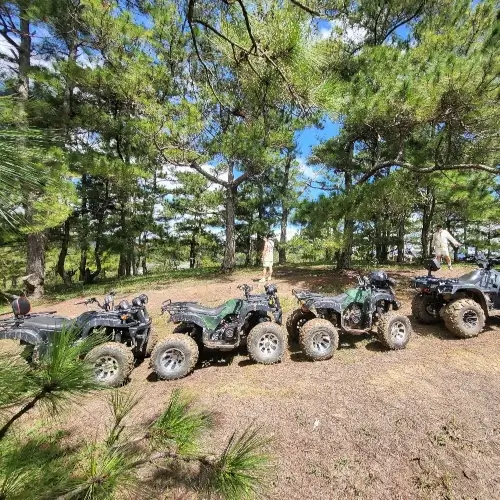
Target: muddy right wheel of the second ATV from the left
x=266, y=343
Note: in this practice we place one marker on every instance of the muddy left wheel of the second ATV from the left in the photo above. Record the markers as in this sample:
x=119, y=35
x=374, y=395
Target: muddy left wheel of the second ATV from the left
x=174, y=357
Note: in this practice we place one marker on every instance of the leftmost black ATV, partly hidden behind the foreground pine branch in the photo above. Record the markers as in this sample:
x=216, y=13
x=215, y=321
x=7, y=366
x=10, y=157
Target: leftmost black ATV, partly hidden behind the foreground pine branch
x=128, y=328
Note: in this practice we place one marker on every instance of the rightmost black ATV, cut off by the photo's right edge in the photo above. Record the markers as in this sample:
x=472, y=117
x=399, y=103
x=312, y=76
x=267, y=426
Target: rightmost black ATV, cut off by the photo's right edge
x=463, y=303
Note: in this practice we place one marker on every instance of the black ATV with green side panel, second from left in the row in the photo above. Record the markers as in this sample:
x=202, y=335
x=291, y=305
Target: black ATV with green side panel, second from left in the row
x=226, y=327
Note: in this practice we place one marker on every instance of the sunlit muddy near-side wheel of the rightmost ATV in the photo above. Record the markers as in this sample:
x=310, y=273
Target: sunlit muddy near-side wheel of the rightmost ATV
x=464, y=318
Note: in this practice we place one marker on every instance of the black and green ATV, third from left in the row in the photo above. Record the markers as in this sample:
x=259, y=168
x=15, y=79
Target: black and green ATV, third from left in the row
x=356, y=311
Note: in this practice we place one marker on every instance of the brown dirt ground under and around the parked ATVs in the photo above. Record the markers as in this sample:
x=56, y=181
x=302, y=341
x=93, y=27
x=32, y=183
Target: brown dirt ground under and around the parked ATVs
x=422, y=423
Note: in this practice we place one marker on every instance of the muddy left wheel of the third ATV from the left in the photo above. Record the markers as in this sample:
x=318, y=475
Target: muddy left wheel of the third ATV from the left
x=319, y=339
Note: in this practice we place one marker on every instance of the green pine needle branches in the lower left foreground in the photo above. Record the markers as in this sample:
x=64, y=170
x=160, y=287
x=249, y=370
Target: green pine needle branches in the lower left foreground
x=107, y=466
